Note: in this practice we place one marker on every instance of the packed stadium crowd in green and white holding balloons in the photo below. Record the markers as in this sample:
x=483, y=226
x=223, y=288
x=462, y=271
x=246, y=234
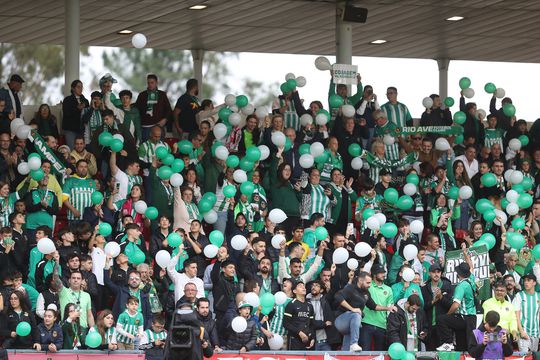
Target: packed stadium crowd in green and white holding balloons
x=294, y=228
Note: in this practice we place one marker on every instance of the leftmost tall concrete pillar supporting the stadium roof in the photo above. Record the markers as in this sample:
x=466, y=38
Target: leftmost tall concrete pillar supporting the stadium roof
x=72, y=42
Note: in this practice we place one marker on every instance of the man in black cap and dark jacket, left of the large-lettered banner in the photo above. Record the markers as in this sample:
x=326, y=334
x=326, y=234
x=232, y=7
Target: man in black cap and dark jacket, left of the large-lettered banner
x=437, y=294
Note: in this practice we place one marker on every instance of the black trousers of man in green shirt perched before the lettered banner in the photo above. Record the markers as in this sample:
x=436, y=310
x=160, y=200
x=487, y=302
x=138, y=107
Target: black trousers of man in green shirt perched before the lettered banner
x=461, y=325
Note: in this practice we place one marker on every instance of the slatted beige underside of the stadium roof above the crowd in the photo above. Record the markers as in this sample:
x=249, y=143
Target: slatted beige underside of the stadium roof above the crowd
x=496, y=30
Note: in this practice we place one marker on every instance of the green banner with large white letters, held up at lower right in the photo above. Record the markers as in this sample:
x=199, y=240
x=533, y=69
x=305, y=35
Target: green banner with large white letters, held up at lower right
x=480, y=257
